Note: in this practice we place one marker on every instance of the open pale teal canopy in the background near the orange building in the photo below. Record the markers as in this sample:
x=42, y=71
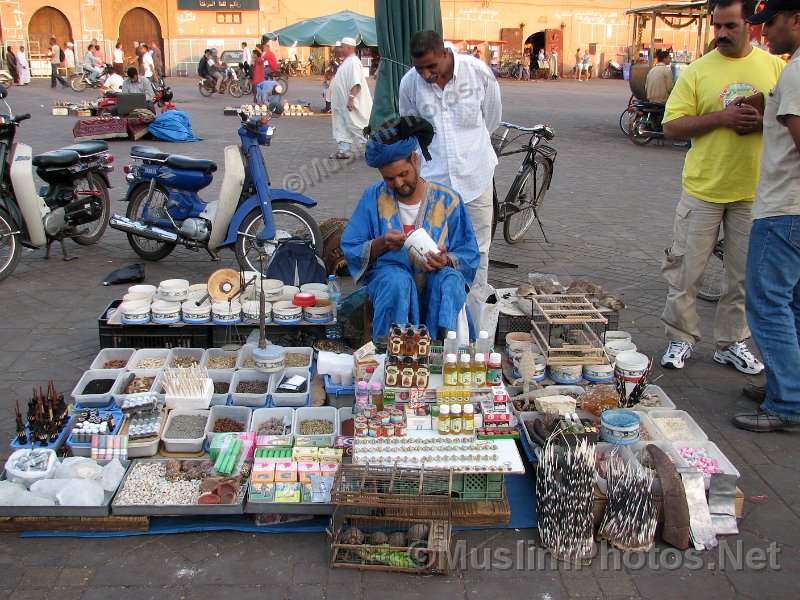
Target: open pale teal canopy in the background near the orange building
x=329, y=30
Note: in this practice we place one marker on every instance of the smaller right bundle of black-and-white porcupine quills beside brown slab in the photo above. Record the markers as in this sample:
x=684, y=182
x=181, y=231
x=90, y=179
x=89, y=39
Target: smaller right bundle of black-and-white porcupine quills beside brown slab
x=629, y=521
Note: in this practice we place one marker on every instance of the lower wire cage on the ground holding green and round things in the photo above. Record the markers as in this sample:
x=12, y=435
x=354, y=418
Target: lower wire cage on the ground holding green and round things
x=364, y=538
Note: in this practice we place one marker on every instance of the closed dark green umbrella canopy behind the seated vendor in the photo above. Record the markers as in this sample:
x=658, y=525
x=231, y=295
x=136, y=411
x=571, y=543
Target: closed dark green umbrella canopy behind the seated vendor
x=397, y=21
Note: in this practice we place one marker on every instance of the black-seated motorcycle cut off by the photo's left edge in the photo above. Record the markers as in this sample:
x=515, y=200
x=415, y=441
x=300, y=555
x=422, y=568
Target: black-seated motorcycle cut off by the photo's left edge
x=74, y=204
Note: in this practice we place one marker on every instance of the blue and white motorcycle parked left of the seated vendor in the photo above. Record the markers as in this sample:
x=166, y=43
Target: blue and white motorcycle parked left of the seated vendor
x=250, y=217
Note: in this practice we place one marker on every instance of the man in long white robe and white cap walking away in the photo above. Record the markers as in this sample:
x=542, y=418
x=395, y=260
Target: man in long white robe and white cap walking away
x=351, y=101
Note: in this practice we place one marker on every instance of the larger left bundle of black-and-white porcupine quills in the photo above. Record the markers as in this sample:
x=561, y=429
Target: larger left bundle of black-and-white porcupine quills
x=565, y=488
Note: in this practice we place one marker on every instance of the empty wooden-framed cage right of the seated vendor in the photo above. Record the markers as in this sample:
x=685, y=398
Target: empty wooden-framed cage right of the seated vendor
x=568, y=329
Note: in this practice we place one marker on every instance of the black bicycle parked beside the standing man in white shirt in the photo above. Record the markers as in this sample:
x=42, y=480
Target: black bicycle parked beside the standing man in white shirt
x=524, y=199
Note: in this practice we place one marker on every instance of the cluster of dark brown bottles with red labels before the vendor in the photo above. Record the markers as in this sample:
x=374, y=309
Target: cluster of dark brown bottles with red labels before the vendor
x=408, y=353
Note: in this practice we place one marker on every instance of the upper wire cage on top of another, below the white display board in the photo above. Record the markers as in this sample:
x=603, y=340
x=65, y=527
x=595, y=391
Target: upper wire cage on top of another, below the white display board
x=428, y=490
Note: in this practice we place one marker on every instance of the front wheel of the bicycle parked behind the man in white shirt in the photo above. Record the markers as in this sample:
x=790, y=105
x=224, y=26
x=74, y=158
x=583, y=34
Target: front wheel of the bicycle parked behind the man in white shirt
x=525, y=198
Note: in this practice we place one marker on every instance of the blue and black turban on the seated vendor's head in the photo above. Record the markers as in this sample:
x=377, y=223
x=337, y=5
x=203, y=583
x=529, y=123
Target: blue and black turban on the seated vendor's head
x=398, y=140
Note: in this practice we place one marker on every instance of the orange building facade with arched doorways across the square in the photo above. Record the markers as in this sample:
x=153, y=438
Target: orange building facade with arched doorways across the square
x=183, y=28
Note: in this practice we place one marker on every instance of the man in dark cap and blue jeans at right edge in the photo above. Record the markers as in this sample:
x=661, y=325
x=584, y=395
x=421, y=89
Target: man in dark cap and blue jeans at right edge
x=773, y=258
